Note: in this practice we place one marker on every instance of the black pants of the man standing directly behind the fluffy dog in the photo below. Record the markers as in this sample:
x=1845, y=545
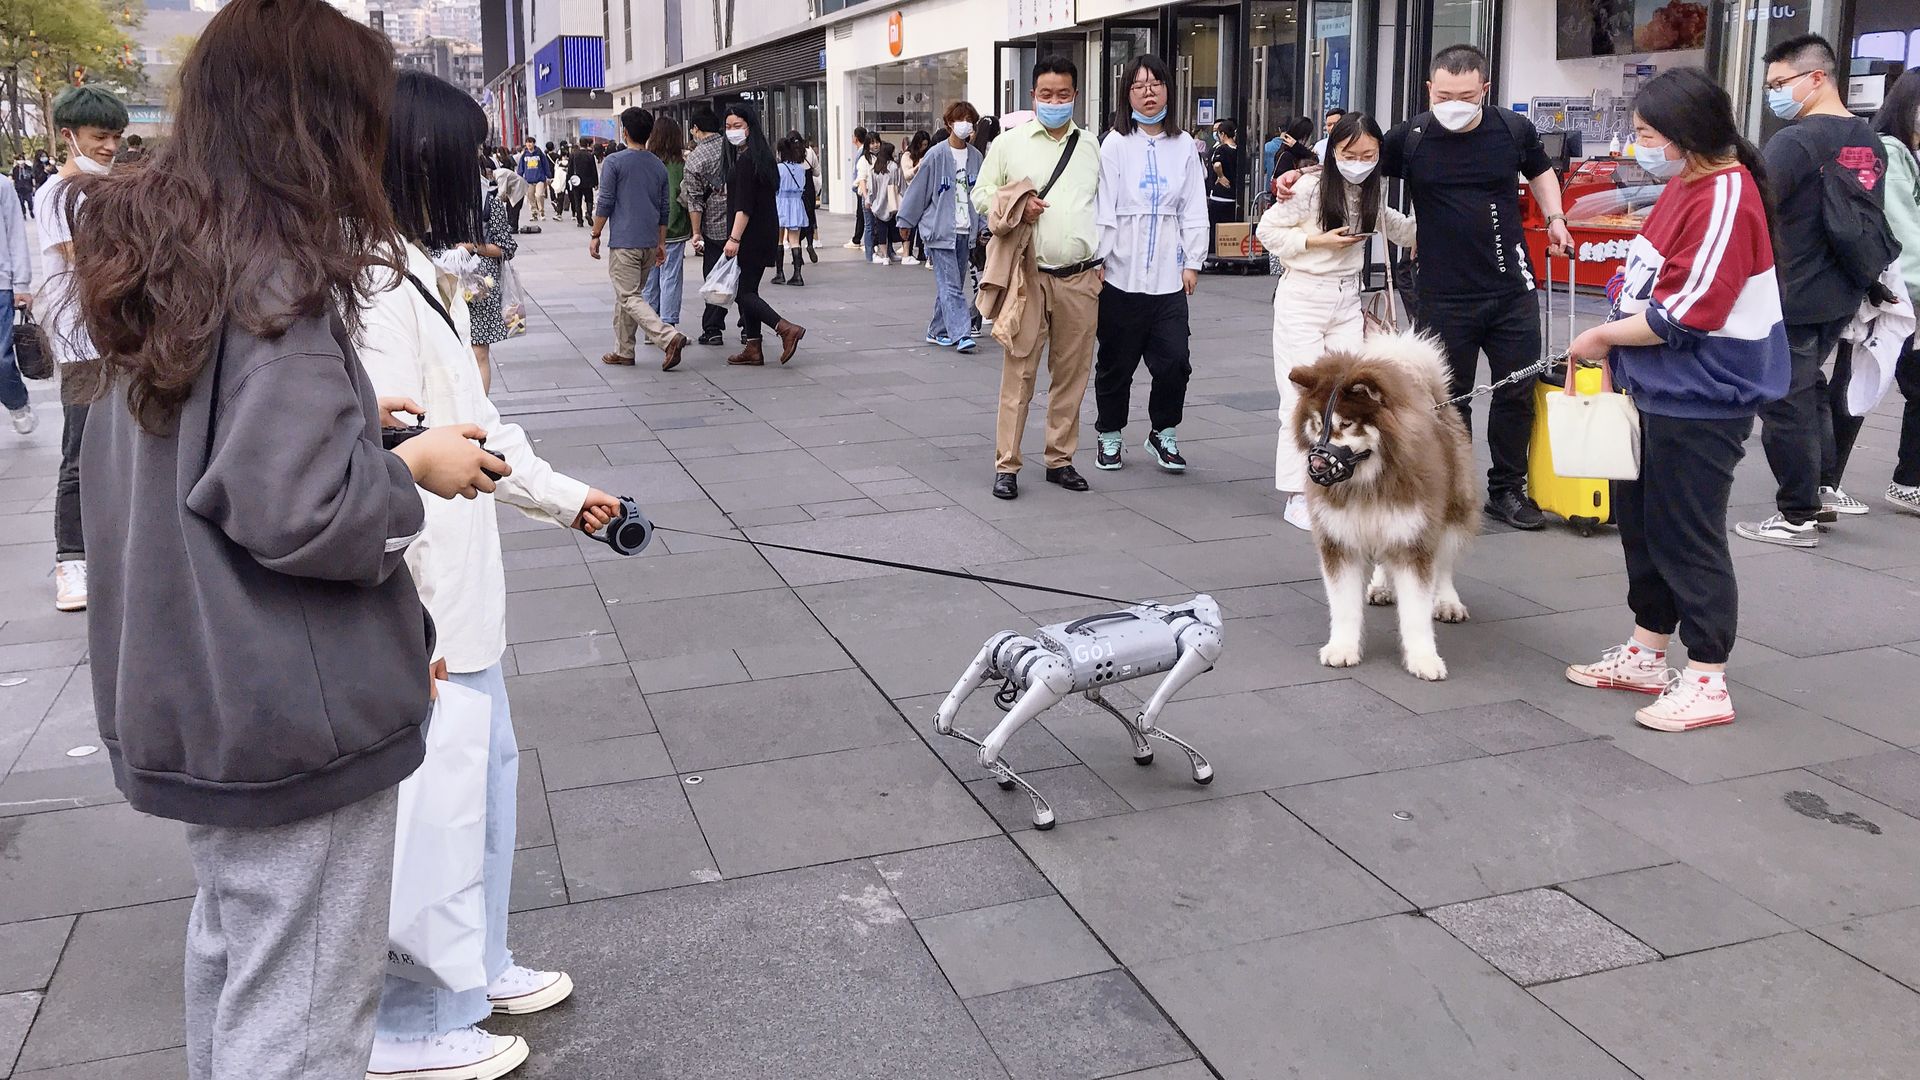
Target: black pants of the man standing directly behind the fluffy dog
x=1508, y=331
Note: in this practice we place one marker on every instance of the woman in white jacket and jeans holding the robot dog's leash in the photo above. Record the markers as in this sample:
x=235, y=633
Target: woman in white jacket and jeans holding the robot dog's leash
x=414, y=345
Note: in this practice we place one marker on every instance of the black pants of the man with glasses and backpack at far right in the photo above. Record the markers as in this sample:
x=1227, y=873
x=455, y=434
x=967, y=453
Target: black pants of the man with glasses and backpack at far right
x=1798, y=431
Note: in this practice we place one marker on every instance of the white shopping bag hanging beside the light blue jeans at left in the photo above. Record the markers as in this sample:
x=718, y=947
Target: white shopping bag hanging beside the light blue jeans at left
x=437, y=925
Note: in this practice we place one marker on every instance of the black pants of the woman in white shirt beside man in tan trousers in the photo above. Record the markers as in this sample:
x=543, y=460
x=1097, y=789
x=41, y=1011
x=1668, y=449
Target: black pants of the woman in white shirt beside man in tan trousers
x=1132, y=328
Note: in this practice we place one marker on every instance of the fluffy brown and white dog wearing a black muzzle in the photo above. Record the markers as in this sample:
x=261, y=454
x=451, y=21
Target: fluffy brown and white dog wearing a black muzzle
x=1393, y=487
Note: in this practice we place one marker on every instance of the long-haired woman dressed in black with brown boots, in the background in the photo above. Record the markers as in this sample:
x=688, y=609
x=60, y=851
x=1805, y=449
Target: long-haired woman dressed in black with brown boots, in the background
x=756, y=235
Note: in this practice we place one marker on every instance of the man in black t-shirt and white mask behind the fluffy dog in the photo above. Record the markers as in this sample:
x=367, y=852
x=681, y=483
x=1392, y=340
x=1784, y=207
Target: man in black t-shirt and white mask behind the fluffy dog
x=1477, y=287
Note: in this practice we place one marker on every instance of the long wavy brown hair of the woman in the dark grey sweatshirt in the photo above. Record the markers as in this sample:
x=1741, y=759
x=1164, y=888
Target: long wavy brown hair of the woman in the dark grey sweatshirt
x=264, y=209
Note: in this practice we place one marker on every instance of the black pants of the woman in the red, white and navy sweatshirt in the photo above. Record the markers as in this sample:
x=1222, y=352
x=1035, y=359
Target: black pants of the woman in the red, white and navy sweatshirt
x=1673, y=528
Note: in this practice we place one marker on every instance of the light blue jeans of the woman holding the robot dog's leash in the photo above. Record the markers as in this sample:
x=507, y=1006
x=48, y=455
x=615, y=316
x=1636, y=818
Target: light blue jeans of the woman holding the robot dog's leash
x=414, y=1010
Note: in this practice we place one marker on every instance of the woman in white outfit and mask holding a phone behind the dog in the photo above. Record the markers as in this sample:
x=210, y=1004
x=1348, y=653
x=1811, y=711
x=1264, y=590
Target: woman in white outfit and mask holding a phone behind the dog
x=1320, y=237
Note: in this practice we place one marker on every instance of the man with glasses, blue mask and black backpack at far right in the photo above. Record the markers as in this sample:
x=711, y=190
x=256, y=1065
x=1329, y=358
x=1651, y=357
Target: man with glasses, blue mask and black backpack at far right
x=1817, y=299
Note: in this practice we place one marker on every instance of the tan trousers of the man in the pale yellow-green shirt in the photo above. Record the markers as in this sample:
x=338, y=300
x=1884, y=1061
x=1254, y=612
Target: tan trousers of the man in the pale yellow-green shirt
x=1072, y=312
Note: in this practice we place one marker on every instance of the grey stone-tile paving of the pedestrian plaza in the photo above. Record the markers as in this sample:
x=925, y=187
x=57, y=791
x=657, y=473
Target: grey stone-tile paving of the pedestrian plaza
x=756, y=858
